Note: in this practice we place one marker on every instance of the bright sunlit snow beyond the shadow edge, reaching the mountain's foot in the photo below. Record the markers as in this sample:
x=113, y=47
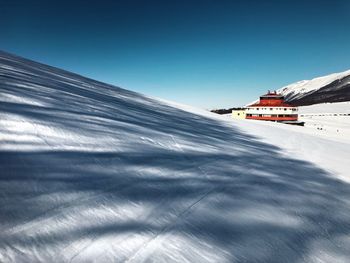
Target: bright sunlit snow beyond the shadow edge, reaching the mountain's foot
x=324, y=139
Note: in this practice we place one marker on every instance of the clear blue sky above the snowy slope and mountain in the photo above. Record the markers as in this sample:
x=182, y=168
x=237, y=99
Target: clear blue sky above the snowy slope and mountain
x=207, y=53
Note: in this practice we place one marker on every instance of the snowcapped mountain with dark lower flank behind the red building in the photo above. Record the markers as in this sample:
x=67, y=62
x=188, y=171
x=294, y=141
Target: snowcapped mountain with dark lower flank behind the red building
x=331, y=88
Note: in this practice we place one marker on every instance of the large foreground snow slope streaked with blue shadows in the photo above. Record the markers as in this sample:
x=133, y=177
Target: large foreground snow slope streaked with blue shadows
x=94, y=173
